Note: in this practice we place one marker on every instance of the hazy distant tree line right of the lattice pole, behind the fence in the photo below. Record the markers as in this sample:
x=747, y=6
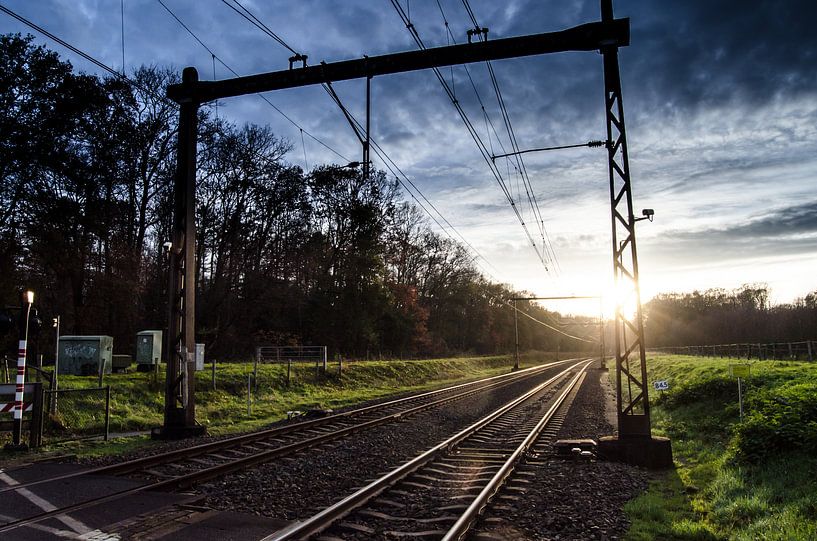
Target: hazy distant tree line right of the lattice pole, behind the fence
x=720, y=316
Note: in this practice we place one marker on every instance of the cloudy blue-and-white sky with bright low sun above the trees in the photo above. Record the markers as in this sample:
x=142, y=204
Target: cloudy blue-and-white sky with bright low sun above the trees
x=720, y=100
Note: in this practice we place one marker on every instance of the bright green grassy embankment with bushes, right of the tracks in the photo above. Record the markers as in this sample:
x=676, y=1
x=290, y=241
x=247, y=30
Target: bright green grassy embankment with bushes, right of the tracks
x=742, y=480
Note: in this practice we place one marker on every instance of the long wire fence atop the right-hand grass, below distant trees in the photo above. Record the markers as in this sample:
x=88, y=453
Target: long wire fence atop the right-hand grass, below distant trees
x=784, y=351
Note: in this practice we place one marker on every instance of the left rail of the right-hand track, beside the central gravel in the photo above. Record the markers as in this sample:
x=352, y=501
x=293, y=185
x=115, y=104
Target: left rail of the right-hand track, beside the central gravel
x=325, y=518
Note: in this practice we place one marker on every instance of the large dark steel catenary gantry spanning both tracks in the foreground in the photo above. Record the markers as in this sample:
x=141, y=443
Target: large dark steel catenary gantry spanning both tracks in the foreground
x=604, y=36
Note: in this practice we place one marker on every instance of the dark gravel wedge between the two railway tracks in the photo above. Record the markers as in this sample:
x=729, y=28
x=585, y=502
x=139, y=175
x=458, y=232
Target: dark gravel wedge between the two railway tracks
x=300, y=486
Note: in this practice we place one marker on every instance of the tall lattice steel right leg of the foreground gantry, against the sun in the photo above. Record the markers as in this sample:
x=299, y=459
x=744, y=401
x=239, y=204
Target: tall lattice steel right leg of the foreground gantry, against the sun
x=631, y=368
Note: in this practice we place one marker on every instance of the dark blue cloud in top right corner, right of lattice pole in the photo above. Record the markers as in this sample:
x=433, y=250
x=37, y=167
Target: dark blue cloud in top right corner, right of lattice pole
x=697, y=54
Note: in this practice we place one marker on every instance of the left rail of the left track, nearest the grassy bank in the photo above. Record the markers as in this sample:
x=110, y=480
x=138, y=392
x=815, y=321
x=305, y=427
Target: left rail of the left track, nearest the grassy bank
x=198, y=450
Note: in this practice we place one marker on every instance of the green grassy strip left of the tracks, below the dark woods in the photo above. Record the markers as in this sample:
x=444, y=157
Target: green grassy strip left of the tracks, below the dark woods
x=137, y=398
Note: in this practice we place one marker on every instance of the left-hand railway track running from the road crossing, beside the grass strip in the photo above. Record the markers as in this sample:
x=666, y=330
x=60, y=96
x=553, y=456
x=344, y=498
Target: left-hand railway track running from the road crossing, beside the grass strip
x=185, y=467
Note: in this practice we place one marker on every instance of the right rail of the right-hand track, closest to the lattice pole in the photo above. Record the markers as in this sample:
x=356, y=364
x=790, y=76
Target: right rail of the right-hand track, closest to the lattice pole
x=463, y=524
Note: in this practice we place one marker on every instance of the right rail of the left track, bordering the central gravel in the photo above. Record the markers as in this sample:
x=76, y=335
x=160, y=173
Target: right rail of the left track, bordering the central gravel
x=244, y=462
